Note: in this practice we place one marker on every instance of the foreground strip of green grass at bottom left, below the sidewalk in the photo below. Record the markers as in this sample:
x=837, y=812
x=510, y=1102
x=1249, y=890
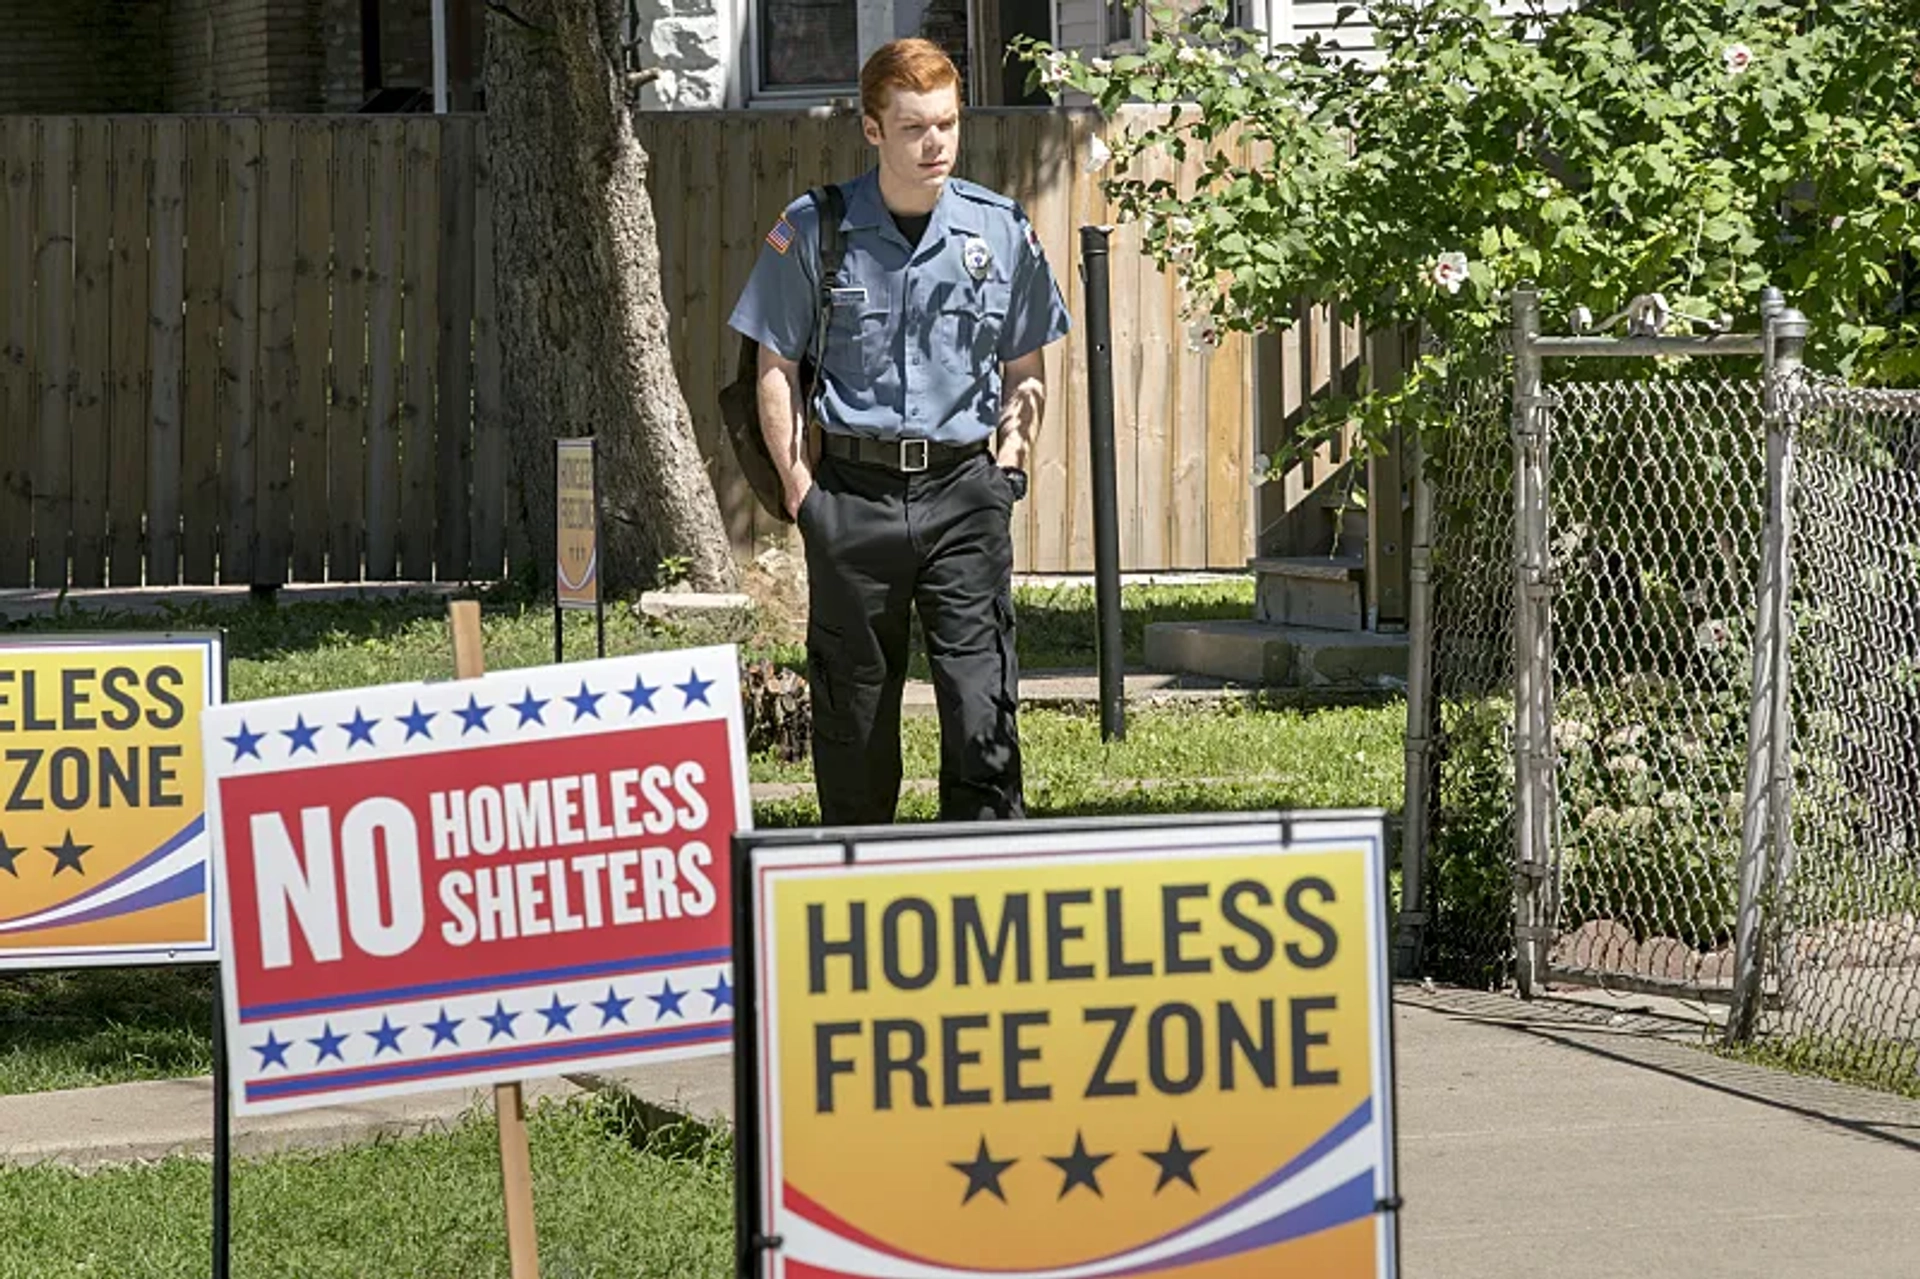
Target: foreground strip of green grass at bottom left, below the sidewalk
x=610, y=1199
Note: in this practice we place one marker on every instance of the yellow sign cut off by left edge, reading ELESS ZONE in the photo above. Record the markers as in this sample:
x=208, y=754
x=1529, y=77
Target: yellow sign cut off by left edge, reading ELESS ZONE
x=103, y=811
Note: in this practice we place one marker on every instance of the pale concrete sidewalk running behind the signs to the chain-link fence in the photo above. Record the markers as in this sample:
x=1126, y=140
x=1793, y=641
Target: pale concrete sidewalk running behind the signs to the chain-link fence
x=1560, y=1140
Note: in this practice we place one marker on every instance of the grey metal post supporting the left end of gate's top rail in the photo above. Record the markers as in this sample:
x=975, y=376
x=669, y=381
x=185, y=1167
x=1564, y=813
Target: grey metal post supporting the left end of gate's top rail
x=1529, y=646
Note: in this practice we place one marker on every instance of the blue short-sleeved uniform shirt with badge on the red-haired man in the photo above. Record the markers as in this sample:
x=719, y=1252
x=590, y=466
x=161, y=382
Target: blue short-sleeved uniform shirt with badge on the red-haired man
x=917, y=335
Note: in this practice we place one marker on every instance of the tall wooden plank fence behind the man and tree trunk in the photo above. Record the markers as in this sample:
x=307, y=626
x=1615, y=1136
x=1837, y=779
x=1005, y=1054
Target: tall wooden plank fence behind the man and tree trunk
x=262, y=349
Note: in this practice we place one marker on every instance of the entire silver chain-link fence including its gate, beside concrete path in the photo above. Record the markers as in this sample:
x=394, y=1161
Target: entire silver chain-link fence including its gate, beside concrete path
x=1681, y=833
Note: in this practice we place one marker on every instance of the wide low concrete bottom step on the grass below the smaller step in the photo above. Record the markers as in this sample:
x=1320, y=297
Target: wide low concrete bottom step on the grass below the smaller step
x=1282, y=656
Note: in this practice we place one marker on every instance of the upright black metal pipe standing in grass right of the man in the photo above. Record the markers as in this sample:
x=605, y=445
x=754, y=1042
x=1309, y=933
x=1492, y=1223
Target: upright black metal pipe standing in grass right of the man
x=1105, y=485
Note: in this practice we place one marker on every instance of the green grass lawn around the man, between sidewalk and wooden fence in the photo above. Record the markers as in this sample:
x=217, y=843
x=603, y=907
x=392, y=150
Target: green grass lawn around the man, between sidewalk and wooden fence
x=78, y=1028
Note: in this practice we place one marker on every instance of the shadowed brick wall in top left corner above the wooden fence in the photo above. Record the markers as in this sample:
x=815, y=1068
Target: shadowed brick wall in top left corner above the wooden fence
x=62, y=57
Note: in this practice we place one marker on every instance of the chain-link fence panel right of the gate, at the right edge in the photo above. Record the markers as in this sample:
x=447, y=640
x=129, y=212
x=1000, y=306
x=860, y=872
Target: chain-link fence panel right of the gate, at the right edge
x=1846, y=881
